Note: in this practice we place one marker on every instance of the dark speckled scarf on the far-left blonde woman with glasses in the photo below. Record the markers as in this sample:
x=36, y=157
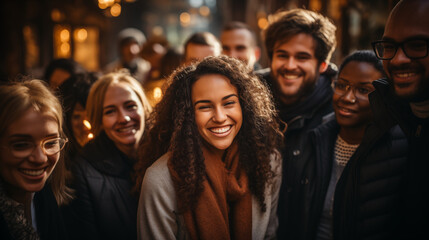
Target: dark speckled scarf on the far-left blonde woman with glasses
x=13, y=214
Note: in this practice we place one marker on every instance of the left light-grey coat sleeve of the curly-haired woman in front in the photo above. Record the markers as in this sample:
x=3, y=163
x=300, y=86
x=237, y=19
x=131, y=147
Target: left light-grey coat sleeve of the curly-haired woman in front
x=157, y=216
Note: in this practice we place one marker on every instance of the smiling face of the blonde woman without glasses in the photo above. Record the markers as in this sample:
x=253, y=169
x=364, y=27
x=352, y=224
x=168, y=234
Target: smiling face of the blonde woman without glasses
x=123, y=116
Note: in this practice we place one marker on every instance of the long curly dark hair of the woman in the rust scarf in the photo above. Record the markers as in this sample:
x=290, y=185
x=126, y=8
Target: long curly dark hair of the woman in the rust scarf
x=173, y=129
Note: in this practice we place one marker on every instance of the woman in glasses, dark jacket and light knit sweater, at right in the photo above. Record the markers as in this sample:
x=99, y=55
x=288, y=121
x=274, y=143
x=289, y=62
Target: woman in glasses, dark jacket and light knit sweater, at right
x=332, y=145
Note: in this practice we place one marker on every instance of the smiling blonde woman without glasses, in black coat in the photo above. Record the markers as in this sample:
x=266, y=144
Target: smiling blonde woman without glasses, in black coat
x=104, y=207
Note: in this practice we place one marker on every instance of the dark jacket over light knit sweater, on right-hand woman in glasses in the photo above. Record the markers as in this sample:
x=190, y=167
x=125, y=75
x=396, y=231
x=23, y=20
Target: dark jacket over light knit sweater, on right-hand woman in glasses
x=308, y=195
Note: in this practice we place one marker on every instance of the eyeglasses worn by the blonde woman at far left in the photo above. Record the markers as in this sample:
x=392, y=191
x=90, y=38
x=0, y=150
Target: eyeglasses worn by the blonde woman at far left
x=23, y=149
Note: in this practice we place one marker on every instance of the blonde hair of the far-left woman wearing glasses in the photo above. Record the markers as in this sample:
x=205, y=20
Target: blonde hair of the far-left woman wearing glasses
x=16, y=98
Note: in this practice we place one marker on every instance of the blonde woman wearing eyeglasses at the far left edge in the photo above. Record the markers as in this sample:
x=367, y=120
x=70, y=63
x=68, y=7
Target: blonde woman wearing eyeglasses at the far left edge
x=32, y=170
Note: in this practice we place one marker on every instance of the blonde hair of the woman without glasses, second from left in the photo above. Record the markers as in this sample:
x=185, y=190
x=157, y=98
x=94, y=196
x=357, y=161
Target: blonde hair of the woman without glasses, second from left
x=94, y=105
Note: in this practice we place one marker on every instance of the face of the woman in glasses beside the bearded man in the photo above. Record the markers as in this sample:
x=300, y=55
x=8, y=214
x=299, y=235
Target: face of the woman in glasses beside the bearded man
x=352, y=108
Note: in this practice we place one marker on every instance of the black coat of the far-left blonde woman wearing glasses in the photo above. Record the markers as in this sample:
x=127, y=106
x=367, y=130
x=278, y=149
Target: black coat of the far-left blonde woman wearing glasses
x=50, y=225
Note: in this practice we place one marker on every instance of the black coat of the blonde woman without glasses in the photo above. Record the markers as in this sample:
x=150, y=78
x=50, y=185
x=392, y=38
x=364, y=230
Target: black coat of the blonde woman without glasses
x=104, y=207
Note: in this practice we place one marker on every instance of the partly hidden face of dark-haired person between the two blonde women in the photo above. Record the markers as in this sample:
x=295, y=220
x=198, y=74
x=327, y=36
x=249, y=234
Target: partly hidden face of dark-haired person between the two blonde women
x=80, y=131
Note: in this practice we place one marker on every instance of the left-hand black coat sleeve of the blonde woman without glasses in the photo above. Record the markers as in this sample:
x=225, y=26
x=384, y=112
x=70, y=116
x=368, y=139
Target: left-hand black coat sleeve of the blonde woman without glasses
x=80, y=217
